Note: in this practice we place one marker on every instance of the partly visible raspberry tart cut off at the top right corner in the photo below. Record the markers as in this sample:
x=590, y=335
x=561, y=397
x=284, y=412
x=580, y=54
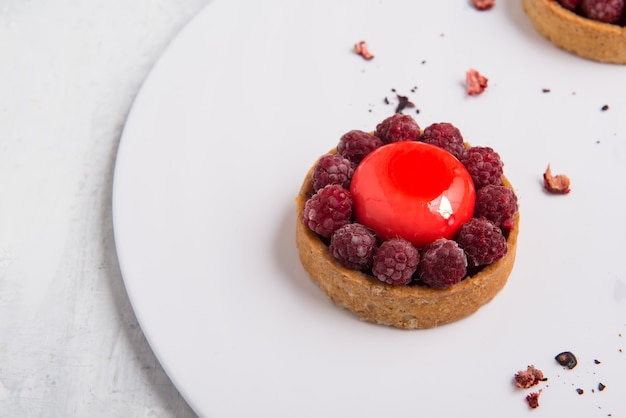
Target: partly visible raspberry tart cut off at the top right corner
x=592, y=29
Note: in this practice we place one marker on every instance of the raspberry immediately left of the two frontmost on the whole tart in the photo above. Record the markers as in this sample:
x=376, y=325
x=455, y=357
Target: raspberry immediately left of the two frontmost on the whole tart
x=353, y=245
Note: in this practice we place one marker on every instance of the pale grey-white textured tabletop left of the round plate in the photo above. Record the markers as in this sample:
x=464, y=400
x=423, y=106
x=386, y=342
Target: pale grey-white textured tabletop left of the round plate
x=69, y=342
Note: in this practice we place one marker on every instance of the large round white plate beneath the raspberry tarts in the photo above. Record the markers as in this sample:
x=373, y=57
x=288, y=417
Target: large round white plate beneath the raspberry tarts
x=219, y=140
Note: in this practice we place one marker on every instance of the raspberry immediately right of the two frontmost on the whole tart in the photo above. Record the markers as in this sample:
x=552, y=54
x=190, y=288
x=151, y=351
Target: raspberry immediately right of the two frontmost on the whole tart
x=482, y=241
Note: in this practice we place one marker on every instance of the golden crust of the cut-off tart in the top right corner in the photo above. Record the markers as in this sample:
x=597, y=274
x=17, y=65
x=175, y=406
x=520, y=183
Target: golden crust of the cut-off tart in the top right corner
x=587, y=38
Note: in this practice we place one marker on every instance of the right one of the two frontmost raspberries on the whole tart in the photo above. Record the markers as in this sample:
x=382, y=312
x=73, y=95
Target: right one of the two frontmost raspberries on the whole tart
x=443, y=264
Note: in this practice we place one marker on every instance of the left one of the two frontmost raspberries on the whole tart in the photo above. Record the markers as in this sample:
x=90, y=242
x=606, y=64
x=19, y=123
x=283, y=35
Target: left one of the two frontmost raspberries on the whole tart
x=395, y=261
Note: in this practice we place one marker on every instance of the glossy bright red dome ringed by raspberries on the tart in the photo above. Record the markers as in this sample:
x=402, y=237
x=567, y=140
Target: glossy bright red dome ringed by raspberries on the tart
x=412, y=190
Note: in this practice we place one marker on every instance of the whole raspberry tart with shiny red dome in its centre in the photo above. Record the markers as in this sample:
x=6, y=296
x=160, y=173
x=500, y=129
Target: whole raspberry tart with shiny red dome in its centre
x=424, y=234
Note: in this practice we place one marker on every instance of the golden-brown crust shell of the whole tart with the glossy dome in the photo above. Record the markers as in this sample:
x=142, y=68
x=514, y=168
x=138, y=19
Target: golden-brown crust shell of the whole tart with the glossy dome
x=406, y=307
